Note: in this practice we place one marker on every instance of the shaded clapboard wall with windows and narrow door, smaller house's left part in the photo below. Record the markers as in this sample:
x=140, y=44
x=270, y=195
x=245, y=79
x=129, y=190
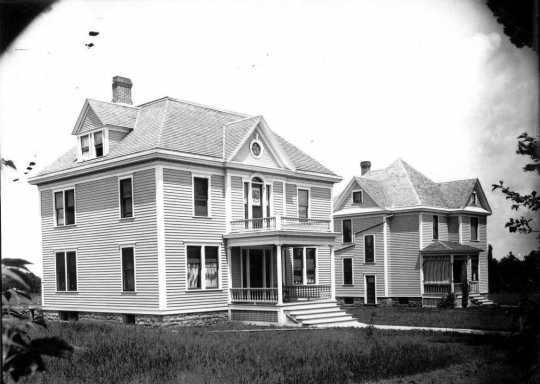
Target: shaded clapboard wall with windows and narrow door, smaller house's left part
x=361, y=226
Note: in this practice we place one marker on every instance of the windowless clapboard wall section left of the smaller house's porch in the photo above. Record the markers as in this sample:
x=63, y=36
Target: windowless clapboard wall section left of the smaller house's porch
x=403, y=256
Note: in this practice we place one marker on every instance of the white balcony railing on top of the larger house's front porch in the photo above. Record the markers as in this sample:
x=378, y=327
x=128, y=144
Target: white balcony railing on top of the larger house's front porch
x=280, y=223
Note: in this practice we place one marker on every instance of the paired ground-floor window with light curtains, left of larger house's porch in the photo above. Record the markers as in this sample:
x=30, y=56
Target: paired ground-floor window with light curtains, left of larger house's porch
x=202, y=267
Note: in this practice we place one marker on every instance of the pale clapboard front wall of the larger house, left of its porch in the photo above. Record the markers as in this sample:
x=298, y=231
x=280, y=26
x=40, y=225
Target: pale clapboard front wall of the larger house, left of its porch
x=182, y=229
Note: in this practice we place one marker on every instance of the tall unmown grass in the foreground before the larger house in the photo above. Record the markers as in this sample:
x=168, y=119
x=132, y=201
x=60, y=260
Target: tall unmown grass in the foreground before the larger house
x=110, y=353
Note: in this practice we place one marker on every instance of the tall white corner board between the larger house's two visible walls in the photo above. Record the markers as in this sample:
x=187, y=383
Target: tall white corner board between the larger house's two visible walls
x=160, y=224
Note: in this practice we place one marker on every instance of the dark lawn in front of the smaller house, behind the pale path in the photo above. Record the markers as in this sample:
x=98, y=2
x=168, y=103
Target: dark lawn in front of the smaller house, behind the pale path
x=475, y=318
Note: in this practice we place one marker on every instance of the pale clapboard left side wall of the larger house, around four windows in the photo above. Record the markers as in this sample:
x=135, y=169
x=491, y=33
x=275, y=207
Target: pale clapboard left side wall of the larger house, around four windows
x=96, y=238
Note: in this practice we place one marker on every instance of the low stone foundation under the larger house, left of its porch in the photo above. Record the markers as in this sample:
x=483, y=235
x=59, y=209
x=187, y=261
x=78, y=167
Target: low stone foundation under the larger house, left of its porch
x=183, y=319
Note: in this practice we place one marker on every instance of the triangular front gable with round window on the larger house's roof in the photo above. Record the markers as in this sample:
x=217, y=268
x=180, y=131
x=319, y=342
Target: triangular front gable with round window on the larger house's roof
x=255, y=144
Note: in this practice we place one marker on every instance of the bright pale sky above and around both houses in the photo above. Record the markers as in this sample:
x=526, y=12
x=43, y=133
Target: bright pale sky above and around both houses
x=434, y=82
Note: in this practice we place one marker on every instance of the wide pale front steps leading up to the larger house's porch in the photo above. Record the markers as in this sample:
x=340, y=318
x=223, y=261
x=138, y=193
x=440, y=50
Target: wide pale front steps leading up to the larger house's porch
x=327, y=315
